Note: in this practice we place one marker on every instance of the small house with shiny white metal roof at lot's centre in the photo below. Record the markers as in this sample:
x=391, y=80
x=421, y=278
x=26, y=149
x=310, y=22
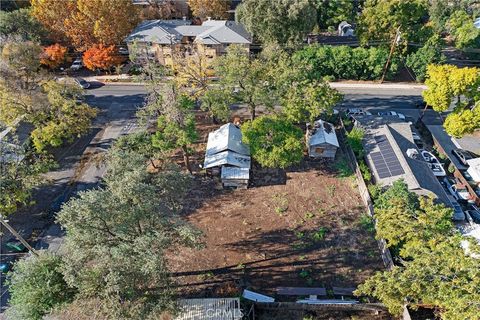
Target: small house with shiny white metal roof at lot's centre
x=228, y=157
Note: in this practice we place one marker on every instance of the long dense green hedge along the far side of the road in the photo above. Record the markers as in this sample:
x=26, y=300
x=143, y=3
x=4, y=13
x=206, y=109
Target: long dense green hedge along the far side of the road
x=344, y=62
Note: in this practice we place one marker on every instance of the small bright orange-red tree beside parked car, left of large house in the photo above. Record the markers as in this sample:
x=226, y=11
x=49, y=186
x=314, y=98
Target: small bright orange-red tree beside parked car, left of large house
x=100, y=57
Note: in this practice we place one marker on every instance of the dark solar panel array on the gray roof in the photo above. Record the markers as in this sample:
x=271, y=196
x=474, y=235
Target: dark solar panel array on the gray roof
x=386, y=161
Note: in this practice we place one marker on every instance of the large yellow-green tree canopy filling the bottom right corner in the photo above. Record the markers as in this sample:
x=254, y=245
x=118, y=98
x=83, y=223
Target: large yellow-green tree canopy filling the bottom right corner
x=434, y=269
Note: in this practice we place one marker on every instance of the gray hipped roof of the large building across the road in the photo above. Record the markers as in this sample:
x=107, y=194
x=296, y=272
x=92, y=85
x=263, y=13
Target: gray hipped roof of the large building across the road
x=172, y=31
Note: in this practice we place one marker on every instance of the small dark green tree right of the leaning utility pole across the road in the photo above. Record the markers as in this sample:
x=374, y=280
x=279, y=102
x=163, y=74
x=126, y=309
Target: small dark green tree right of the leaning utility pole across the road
x=430, y=53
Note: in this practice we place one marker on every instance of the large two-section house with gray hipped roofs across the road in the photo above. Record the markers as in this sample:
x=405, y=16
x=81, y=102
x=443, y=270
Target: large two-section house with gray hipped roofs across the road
x=162, y=39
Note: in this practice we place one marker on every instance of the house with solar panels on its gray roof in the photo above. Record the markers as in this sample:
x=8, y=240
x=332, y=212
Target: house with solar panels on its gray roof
x=391, y=154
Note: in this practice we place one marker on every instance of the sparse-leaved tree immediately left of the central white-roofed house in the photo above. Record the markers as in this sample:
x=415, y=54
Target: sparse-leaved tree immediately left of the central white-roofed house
x=176, y=124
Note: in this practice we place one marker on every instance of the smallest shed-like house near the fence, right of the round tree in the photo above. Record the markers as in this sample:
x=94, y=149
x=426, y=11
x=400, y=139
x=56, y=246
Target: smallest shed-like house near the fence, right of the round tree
x=321, y=140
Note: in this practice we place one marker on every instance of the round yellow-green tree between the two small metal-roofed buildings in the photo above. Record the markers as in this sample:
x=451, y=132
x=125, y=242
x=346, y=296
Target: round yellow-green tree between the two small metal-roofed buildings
x=274, y=141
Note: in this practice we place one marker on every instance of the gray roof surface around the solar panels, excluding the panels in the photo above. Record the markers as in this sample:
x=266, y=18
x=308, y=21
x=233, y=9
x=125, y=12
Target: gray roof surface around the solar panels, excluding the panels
x=418, y=176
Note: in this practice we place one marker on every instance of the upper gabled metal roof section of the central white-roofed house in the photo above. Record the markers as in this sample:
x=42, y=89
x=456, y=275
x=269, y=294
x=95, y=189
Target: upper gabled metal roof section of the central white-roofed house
x=227, y=137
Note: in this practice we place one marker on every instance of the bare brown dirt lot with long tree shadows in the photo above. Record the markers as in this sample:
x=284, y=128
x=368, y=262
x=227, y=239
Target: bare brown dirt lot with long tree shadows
x=300, y=227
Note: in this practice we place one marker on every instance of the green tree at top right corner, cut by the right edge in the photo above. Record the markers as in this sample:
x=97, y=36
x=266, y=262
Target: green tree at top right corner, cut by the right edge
x=461, y=28
